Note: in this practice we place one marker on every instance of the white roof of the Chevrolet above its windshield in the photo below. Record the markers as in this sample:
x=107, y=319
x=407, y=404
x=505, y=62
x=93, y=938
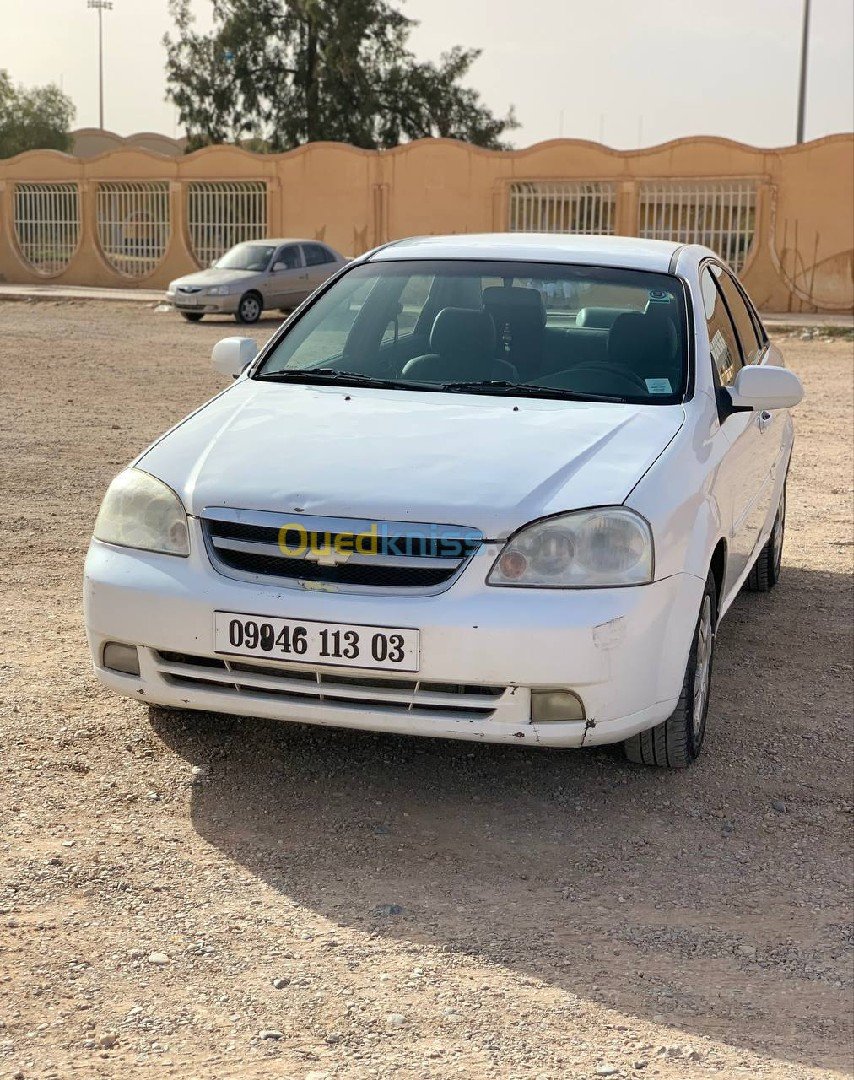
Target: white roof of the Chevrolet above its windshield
x=629, y=252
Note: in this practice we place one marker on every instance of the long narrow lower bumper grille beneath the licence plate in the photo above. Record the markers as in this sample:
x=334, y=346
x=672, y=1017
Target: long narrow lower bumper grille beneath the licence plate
x=441, y=700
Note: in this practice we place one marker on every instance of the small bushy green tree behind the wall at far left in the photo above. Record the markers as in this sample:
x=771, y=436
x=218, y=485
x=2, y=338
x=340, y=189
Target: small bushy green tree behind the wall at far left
x=37, y=119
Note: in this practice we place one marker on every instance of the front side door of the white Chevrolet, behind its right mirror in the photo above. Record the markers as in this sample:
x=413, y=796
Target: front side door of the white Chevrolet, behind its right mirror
x=744, y=480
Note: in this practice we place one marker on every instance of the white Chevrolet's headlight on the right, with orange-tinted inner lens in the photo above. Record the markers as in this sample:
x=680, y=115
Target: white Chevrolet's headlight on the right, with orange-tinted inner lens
x=585, y=550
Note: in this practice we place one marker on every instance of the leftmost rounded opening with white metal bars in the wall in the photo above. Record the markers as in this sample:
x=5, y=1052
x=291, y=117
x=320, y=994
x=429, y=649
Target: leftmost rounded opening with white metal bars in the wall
x=47, y=225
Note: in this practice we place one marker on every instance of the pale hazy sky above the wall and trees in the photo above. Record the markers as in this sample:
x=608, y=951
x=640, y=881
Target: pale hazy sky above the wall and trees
x=620, y=72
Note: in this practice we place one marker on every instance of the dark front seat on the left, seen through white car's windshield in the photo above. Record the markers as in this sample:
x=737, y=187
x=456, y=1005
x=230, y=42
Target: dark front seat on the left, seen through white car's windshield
x=463, y=345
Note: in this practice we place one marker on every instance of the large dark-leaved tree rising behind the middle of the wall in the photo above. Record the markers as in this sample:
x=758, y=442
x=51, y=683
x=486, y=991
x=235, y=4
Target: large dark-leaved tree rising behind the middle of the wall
x=283, y=73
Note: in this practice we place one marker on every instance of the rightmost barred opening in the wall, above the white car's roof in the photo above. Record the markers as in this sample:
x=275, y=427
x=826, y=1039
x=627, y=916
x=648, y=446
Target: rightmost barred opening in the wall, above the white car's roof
x=720, y=214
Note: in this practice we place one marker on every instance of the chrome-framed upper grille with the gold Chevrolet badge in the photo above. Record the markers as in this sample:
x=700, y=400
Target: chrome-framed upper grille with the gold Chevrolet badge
x=389, y=556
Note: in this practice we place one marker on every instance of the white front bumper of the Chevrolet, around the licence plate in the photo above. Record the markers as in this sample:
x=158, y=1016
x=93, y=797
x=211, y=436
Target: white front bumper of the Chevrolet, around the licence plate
x=623, y=652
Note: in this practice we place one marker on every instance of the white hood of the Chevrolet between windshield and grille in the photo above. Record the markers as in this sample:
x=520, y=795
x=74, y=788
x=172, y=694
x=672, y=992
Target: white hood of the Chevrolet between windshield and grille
x=492, y=464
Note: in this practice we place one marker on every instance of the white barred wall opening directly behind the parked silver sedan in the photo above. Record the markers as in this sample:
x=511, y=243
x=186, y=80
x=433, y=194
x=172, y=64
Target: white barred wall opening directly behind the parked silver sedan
x=221, y=214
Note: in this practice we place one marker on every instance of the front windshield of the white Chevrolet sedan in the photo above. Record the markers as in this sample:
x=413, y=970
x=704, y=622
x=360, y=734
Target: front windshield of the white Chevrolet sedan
x=496, y=328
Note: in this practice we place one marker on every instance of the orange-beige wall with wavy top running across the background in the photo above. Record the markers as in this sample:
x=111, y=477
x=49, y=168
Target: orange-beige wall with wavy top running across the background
x=802, y=260
